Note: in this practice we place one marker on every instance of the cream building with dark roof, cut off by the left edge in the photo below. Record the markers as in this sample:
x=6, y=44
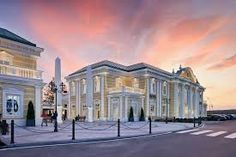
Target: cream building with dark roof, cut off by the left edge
x=20, y=80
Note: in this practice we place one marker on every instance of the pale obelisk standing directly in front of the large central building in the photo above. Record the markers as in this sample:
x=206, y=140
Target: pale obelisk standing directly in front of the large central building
x=89, y=94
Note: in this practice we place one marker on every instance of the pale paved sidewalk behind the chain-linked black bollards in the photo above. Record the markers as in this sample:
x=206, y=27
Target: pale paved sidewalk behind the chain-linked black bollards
x=88, y=131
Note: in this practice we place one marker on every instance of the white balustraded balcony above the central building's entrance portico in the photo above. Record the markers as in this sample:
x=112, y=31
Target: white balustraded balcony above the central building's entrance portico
x=126, y=90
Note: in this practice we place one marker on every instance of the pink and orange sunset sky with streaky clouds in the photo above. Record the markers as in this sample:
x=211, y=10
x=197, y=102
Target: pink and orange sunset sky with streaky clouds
x=165, y=33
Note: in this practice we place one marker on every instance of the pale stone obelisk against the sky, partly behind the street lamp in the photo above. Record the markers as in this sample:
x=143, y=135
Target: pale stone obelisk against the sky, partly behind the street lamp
x=58, y=82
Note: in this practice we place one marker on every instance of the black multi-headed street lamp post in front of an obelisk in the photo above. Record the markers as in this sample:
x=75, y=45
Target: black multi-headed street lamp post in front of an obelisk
x=53, y=87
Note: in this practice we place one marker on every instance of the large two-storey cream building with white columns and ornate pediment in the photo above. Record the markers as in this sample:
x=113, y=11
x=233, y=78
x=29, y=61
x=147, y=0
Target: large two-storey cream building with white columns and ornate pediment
x=111, y=89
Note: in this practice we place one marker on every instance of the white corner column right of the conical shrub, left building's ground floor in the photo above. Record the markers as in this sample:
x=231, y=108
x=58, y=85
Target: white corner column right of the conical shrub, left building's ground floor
x=38, y=98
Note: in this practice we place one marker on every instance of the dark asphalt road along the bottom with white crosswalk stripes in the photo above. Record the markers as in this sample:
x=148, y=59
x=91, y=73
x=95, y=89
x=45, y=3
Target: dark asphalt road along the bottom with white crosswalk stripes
x=209, y=141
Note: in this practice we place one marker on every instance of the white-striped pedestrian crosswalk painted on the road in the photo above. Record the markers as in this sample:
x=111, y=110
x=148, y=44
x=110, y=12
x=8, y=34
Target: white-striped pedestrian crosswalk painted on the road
x=209, y=133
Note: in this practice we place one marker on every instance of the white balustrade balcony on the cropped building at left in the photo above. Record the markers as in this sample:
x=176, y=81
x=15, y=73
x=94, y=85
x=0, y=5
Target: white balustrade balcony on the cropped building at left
x=20, y=72
